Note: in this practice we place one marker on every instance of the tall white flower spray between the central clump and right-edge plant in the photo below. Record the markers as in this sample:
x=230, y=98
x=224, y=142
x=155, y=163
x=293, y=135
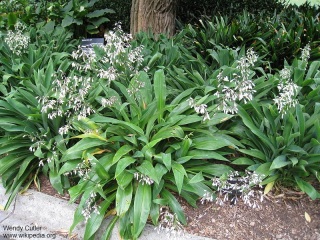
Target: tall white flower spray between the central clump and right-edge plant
x=239, y=87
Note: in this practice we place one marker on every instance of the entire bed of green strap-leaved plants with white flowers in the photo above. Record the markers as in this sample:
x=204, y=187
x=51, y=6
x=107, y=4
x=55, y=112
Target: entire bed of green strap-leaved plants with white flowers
x=128, y=127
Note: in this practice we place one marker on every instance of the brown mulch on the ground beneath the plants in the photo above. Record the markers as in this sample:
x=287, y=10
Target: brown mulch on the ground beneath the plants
x=281, y=216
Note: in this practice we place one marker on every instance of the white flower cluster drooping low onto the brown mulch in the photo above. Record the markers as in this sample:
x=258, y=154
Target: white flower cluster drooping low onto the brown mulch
x=233, y=187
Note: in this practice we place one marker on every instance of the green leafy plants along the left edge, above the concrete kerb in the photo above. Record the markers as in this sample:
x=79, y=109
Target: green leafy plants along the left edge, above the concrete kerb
x=29, y=140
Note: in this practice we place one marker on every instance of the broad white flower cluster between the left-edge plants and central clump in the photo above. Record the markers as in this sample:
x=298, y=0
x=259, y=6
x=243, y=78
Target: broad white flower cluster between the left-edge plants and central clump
x=68, y=99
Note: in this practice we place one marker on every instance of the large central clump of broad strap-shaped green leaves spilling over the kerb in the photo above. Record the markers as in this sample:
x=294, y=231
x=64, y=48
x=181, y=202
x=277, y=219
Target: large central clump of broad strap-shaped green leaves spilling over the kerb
x=134, y=157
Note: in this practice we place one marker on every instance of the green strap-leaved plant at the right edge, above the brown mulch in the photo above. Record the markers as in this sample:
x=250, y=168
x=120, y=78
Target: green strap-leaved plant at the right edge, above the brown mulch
x=281, y=143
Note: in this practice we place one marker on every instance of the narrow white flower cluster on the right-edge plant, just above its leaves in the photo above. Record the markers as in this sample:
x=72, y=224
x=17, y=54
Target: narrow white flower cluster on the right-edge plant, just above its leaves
x=287, y=92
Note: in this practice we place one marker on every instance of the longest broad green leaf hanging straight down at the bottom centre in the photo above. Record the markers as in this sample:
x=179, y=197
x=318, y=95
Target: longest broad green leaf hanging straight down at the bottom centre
x=141, y=208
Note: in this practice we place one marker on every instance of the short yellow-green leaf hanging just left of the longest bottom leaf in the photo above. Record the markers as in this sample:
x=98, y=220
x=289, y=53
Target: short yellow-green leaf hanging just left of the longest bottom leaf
x=123, y=199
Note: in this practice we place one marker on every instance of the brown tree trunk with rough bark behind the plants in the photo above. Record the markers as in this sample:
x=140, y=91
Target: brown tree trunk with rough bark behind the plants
x=157, y=16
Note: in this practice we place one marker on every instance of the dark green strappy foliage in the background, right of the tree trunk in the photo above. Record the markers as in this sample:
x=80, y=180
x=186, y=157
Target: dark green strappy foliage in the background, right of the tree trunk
x=277, y=37
